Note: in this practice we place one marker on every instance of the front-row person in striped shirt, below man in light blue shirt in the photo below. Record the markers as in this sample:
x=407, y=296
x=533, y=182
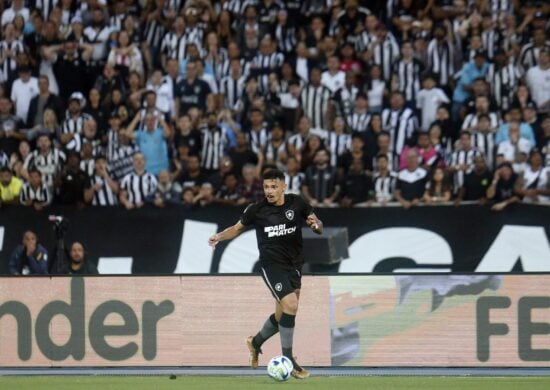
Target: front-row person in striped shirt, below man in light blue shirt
x=138, y=186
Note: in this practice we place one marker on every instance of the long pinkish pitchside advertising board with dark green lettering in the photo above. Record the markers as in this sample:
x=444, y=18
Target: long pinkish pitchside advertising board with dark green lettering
x=453, y=320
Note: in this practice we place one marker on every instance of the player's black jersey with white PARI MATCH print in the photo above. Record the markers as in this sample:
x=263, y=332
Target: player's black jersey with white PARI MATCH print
x=279, y=229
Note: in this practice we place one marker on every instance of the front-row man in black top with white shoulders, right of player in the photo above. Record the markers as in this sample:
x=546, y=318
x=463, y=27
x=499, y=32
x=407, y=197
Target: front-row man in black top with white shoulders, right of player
x=411, y=182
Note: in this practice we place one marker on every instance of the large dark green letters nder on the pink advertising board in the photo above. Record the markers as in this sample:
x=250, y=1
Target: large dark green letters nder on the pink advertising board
x=98, y=331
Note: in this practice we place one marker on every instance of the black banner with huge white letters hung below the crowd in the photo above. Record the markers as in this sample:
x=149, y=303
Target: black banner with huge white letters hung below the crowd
x=172, y=240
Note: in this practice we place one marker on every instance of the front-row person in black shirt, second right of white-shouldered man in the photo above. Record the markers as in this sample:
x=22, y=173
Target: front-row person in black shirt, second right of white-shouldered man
x=476, y=183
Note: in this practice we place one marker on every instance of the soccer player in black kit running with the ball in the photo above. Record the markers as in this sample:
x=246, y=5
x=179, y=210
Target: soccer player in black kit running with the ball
x=278, y=220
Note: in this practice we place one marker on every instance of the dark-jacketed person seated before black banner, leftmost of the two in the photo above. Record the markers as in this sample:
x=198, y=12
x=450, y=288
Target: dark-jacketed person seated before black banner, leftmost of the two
x=30, y=257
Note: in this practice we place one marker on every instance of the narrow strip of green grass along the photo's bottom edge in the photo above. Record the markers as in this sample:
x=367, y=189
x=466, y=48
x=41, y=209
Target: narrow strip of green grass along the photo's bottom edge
x=235, y=382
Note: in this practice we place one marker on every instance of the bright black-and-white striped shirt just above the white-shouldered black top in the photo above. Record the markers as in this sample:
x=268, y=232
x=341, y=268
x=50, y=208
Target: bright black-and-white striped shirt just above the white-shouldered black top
x=401, y=125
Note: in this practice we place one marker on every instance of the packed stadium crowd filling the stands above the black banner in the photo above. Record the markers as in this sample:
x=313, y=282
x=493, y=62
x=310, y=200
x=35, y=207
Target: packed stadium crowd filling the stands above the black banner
x=134, y=102
